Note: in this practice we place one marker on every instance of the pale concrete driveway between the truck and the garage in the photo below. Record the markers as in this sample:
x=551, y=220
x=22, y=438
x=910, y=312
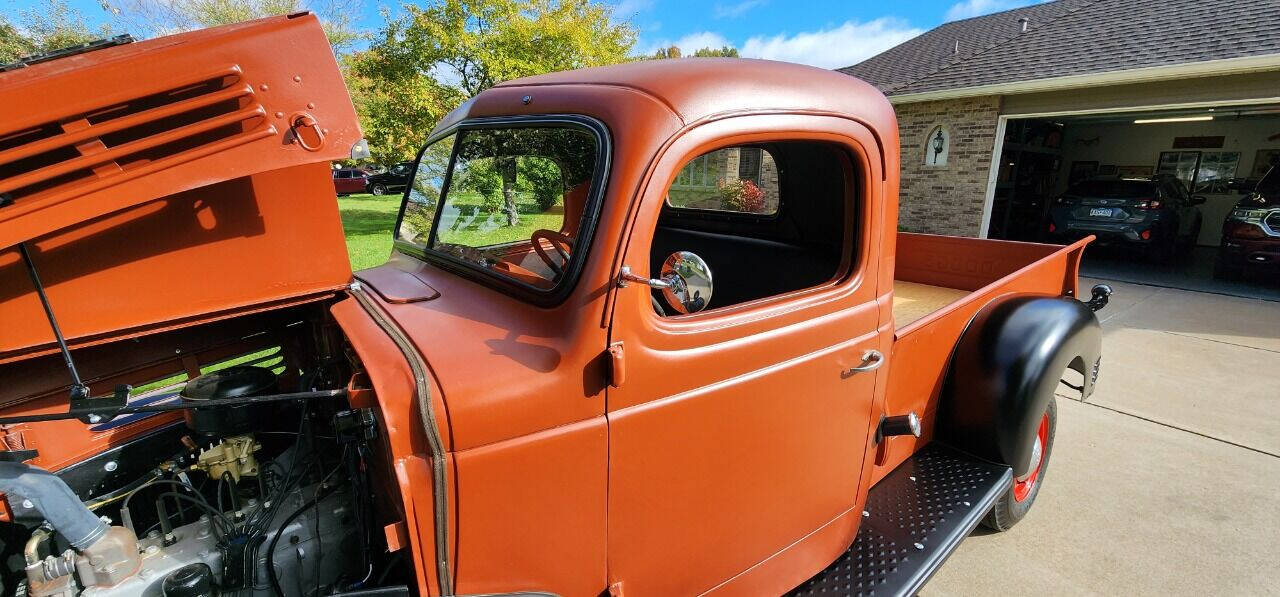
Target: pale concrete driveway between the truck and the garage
x=1168, y=480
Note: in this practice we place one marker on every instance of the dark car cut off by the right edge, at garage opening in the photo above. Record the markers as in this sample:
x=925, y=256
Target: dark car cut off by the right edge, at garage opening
x=1251, y=234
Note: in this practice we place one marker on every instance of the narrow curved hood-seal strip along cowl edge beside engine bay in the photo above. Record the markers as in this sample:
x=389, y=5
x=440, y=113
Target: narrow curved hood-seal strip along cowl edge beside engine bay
x=440, y=476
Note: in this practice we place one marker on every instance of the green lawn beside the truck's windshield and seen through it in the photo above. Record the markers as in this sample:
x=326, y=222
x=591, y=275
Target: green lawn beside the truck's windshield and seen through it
x=368, y=222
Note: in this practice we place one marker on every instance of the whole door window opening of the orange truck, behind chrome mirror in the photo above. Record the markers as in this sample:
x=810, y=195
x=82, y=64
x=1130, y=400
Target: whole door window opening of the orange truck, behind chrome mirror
x=753, y=249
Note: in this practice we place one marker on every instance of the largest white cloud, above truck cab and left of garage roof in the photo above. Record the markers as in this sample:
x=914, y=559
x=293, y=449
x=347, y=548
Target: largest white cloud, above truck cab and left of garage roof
x=833, y=48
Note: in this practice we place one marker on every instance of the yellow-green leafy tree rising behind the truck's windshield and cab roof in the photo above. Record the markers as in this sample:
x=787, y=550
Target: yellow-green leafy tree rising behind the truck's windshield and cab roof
x=436, y=56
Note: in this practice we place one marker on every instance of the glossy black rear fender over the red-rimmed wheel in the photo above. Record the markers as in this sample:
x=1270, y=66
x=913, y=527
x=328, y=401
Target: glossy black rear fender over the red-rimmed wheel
x=1007, y=367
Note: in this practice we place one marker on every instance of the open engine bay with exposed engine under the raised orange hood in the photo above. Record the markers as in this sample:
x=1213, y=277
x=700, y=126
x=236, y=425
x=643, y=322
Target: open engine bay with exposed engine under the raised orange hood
x=245, y=481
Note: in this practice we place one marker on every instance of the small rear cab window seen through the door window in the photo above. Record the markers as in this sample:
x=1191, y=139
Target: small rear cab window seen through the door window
x=738, y=180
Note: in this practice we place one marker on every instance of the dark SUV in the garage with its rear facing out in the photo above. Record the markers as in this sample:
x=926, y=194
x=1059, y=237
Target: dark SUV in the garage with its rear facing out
x=1154, y=215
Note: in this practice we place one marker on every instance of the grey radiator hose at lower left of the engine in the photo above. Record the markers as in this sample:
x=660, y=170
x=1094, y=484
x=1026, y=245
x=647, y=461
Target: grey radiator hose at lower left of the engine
x=56, y=503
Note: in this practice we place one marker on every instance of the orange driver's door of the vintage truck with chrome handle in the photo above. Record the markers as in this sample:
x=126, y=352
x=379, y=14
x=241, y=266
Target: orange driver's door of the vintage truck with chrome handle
x=739, y=430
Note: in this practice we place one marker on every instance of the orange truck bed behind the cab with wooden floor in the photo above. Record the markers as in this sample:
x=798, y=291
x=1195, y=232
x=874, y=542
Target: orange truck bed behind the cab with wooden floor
x=940, y=282
